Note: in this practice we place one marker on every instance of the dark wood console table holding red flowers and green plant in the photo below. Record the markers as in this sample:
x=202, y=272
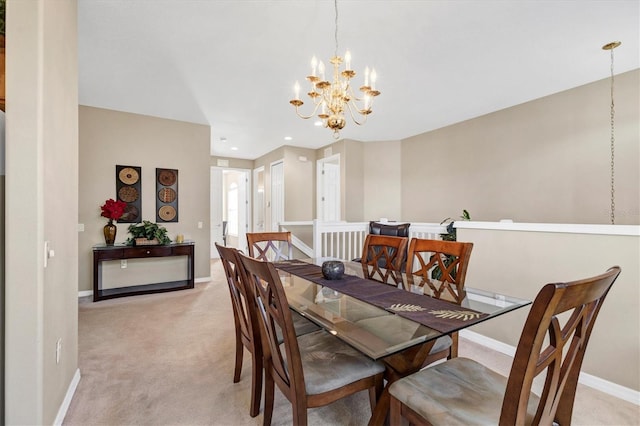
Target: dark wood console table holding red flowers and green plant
x=103, y=253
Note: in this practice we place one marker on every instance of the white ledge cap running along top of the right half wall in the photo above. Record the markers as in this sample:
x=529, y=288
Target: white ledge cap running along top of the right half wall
x=567, y=228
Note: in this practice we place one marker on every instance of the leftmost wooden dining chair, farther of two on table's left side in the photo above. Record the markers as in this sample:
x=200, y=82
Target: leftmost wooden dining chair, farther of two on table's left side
x=247, y=325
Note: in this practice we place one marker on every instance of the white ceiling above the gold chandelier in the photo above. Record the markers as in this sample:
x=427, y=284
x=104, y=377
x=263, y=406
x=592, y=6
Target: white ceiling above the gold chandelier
x=232, y=64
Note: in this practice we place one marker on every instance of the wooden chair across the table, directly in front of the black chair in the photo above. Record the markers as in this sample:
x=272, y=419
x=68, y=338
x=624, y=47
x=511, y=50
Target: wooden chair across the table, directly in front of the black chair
x=382, y=257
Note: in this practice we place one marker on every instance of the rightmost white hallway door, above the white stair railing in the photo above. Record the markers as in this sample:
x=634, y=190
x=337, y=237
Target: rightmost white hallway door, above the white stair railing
x=328, y=190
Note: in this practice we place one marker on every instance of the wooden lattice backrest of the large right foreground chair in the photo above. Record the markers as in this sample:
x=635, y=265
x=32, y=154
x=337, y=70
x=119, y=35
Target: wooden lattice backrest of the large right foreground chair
x=548, y=345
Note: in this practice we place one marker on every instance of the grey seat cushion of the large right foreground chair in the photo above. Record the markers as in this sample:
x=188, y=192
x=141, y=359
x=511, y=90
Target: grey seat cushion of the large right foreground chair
x=459, y=391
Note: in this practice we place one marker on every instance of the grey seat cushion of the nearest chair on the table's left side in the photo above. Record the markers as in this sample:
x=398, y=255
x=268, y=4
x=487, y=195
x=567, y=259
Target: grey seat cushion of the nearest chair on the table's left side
x=328, y=363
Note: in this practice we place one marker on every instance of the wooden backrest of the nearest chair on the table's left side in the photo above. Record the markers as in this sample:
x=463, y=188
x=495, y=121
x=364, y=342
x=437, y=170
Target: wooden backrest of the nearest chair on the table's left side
x=275, y=314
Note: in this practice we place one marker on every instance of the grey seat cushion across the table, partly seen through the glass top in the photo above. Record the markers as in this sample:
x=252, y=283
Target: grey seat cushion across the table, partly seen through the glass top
x=398, y=330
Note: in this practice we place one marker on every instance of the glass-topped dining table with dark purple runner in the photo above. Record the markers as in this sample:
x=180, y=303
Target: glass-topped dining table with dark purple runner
x=374, y=330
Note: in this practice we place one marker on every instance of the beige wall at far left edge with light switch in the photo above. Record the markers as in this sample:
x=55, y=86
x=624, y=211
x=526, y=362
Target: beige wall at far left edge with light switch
x=42, y=205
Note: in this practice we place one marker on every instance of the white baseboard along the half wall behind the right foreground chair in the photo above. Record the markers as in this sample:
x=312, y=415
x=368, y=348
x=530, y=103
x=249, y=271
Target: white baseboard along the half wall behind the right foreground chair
x=594, y=382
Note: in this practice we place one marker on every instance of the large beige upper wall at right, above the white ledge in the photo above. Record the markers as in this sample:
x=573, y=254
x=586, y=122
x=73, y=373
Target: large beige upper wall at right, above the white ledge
x=543, y=161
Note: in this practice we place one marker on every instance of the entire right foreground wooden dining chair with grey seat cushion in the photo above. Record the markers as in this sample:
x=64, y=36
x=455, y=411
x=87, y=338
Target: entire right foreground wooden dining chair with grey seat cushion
x=463, y=391
